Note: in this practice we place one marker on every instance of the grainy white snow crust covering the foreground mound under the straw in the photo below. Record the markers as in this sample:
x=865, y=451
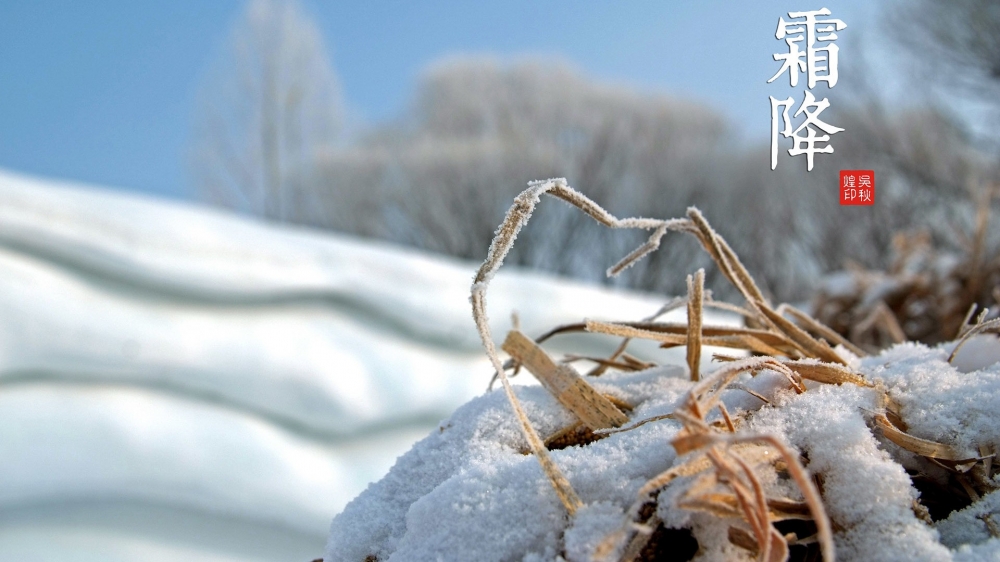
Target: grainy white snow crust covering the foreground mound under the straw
x=467, y=492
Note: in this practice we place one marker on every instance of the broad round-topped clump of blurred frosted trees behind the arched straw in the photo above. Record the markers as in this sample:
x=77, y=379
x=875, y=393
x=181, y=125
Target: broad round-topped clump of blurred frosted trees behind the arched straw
x=442, y=177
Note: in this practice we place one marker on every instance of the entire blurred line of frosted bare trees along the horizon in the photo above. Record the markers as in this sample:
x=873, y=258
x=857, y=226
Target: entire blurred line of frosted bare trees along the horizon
x=442, y=175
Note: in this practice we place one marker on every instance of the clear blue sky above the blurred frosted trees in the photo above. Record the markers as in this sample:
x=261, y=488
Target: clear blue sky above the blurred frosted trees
x=103, y=92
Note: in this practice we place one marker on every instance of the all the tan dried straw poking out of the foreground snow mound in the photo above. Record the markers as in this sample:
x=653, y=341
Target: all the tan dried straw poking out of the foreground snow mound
x=723, y=468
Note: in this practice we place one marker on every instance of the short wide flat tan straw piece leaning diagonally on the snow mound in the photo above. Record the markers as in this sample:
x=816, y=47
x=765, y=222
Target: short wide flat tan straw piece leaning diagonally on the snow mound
x=562, y=382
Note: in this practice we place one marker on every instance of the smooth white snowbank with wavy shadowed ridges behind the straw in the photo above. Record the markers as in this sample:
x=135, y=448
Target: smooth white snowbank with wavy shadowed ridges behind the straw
x=178, y=383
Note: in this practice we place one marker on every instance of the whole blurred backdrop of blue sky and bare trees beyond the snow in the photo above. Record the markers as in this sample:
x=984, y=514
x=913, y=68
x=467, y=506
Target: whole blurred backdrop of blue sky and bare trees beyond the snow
x=418, y=123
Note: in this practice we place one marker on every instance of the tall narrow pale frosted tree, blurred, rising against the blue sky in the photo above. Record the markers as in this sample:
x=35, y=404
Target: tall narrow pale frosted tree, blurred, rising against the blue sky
x=267, y=107
